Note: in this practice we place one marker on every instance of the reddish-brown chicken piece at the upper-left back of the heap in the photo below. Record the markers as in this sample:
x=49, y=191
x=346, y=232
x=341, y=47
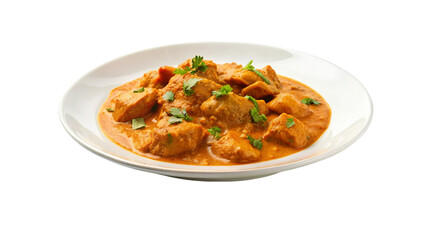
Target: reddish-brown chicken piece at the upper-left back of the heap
x=157, y=79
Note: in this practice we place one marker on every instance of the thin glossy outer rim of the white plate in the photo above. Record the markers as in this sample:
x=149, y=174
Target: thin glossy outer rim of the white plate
x=170, y=170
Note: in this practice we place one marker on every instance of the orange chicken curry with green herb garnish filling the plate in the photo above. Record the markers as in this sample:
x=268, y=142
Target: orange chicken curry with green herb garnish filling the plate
x=203, y=113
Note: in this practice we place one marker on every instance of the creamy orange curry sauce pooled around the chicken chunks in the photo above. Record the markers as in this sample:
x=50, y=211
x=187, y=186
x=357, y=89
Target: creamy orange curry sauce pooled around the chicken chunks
x=122, y=134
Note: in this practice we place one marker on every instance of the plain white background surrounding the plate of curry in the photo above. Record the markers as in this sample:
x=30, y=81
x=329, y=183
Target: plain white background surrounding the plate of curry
x=52, y=188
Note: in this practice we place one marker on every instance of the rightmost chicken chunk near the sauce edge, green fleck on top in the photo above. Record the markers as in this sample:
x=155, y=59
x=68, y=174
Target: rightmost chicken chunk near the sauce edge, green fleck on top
x=294, y=136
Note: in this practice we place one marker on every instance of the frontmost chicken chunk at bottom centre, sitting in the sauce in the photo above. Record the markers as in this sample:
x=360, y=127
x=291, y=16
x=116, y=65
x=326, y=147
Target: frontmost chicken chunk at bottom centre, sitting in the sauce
x=231, y=146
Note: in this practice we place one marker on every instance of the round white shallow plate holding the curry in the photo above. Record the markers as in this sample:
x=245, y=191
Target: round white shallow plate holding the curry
x=350, y=104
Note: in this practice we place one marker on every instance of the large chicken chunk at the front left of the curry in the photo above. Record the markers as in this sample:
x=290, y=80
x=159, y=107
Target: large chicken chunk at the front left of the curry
x=170, y=140
